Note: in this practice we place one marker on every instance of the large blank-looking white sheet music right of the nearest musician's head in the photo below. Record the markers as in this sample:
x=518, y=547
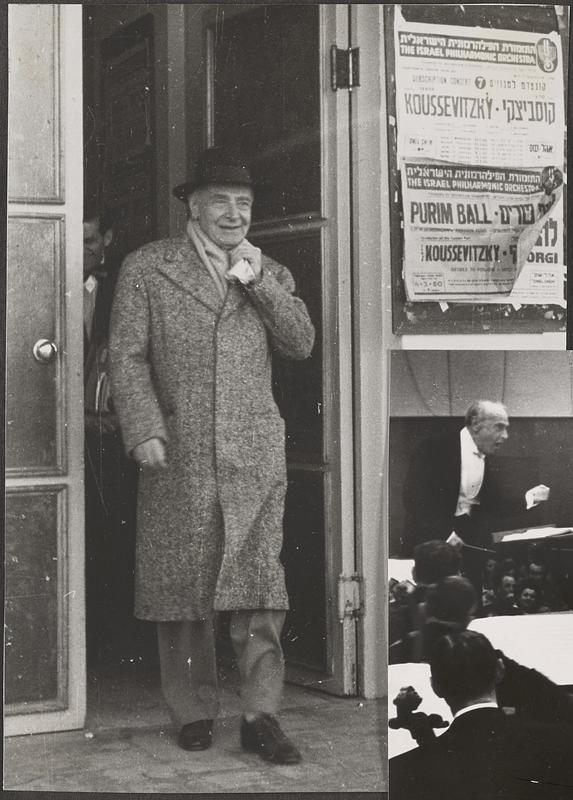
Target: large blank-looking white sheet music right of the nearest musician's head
x=541, y=641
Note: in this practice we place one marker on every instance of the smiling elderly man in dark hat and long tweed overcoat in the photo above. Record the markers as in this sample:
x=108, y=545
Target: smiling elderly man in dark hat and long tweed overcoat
x=195, y=323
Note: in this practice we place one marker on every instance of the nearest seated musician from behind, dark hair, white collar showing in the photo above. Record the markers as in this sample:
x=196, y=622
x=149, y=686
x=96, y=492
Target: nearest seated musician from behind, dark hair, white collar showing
x=484, y=754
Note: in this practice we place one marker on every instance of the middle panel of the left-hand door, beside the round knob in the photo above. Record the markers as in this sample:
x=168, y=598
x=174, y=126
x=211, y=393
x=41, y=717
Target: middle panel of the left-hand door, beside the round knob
x=32, y=409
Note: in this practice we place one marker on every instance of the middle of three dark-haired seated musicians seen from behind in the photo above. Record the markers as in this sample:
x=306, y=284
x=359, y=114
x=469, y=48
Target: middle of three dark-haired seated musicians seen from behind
x=449, y=608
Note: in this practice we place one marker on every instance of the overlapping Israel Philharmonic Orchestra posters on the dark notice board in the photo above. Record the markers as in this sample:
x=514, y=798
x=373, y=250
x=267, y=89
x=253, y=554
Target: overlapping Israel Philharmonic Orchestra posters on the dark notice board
x=481, y=128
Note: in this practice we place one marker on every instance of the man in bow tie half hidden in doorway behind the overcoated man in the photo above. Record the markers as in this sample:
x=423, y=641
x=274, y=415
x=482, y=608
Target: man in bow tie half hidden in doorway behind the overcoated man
x=110, y=478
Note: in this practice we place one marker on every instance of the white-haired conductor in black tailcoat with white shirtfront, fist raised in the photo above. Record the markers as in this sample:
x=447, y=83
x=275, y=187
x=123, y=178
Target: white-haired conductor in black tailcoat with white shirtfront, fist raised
x=451, y=491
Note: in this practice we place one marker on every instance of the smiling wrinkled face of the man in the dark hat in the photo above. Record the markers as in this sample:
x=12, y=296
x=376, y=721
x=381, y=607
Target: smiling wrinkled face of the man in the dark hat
x=223, y=213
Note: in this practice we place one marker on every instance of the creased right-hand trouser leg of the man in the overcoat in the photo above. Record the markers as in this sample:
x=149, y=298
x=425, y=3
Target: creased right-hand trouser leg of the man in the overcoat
x=256, y=637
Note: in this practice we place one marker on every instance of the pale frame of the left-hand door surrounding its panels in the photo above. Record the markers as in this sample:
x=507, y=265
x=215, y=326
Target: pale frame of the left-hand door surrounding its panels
x=68, y=208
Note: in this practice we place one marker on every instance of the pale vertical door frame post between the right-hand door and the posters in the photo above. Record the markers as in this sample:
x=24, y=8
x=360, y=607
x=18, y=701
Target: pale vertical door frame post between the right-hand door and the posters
x=373, y=339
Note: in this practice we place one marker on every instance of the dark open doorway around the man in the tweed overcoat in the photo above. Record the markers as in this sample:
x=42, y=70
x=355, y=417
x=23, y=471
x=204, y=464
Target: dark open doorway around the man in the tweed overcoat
x=160, y=84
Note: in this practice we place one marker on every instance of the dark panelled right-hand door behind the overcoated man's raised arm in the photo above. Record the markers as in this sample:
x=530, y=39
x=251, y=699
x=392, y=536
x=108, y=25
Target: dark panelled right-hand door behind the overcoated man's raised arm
x=268, y=90
